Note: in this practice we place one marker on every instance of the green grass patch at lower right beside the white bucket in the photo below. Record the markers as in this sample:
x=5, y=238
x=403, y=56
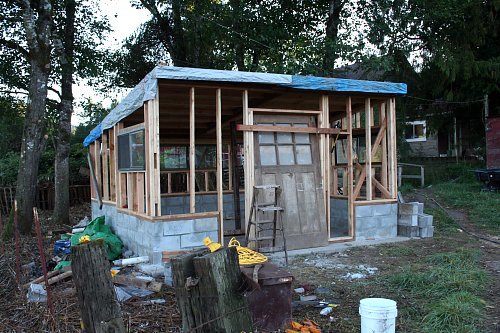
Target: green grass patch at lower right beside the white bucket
x=449, y=285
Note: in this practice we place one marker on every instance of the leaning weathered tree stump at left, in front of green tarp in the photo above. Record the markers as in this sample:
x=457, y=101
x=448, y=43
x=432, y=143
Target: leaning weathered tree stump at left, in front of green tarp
x=99, y=308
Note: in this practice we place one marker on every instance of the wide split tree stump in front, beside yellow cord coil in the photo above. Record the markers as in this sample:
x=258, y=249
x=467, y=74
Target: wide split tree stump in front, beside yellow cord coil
x=207, y=289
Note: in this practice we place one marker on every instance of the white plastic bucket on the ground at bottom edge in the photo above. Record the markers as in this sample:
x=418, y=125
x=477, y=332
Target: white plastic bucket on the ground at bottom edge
x=378, y=315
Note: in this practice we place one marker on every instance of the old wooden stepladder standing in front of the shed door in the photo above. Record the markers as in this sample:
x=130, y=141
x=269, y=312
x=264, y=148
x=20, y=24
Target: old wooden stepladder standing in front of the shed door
x=265, y=227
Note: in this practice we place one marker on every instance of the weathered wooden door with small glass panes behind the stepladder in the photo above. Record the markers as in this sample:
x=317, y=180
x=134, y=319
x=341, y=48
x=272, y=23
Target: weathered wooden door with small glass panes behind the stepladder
x=292, y=161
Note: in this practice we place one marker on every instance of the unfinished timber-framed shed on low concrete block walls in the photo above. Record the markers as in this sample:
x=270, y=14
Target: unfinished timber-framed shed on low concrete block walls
x=177, y=160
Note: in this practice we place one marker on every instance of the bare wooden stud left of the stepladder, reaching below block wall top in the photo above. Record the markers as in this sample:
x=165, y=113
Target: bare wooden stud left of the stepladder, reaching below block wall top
x=220, y=193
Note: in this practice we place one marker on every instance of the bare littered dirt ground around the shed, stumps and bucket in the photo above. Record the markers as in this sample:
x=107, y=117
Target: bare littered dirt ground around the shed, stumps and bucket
x=342, y=278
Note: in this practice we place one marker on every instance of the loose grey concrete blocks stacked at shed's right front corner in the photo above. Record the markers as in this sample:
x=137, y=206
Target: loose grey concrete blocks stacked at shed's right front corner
x=412, y=222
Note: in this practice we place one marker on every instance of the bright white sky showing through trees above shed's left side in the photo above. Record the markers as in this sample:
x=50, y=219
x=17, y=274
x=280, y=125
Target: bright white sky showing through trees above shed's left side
x=124, y=20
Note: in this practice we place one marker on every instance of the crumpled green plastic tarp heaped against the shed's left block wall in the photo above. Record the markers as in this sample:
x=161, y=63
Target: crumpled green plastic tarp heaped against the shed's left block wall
x=98, y=230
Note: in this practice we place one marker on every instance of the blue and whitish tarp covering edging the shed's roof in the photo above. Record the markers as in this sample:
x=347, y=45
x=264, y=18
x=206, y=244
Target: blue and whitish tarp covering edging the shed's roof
x=147, y=88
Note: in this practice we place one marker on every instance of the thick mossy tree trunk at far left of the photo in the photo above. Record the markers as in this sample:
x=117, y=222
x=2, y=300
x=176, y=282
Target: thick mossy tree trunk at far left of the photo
x=37, y=24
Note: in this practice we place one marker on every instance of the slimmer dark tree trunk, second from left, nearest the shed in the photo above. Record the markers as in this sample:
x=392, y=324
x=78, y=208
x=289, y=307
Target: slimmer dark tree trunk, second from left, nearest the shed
x=61, y=205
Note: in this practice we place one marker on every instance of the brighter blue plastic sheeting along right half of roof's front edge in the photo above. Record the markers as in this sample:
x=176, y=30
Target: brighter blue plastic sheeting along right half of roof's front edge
x=346, y=85
